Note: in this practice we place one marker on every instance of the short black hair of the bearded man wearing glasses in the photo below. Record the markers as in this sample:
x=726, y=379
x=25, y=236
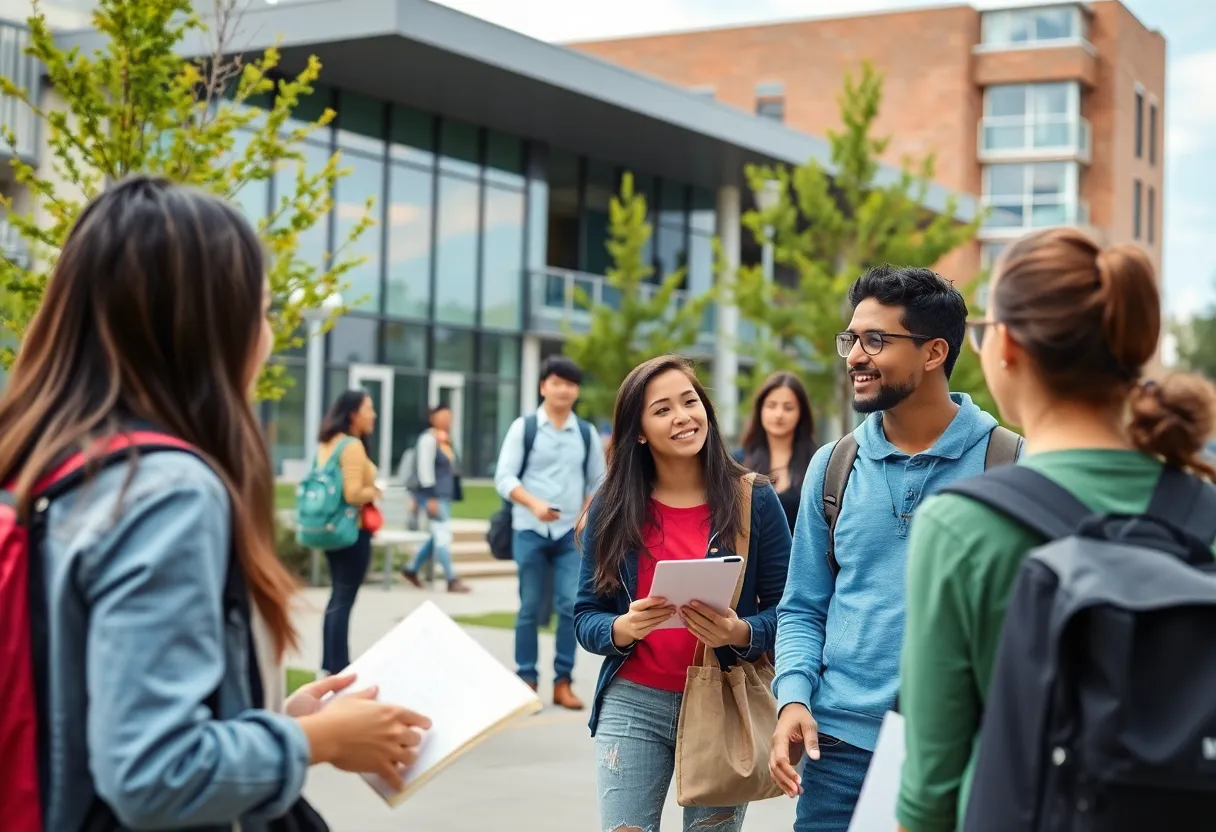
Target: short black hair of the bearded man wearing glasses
x=932, y=306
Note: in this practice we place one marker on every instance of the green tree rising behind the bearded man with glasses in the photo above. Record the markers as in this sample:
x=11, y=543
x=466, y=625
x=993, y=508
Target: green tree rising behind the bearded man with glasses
x=826, y=231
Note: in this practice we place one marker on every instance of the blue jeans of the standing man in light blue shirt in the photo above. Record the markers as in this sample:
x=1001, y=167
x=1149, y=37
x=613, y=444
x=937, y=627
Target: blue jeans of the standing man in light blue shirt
x=534, y=555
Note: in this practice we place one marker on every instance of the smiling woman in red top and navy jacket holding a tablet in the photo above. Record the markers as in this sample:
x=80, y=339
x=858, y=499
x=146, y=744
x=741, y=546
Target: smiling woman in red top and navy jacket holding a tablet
x=672, y=492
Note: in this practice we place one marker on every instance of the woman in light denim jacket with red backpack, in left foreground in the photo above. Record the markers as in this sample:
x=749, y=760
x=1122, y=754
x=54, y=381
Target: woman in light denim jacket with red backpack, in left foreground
x=155, y=319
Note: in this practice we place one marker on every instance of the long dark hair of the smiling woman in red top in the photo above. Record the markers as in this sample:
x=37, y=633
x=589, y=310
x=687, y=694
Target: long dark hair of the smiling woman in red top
x=622, y=505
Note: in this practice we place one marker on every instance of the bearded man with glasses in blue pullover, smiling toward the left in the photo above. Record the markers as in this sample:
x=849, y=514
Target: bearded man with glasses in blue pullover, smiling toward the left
x=841, y=622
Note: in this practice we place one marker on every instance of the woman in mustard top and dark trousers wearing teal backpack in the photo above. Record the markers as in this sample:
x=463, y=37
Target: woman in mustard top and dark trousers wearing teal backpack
x=345, y=432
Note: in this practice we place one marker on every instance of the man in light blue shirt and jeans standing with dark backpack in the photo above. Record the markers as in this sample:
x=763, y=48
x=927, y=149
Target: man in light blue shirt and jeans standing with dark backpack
x=565, y=466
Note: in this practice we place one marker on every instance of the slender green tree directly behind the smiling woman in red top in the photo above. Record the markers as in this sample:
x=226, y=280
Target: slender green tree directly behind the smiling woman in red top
x=639, y=319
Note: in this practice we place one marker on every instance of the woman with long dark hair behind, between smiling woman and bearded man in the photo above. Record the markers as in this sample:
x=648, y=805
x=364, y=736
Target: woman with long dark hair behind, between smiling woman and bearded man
x=779, y=441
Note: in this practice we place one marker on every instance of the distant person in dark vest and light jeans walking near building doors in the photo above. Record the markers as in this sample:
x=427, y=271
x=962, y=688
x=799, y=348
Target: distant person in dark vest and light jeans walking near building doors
x=440, y=487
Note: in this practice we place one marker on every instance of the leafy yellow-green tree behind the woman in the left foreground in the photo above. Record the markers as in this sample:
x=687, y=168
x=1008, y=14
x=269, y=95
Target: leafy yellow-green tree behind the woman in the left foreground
x=137, y=106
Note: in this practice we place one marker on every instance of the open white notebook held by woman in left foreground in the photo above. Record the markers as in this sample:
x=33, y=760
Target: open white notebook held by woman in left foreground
x=430, y=665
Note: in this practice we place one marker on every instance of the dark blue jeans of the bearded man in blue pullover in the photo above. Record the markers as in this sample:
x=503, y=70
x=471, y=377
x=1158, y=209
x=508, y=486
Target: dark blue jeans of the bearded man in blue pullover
x=831, y=788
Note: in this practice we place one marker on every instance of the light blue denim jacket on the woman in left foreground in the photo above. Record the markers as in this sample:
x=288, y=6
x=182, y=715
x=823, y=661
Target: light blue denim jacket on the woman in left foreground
x=138, y=643
